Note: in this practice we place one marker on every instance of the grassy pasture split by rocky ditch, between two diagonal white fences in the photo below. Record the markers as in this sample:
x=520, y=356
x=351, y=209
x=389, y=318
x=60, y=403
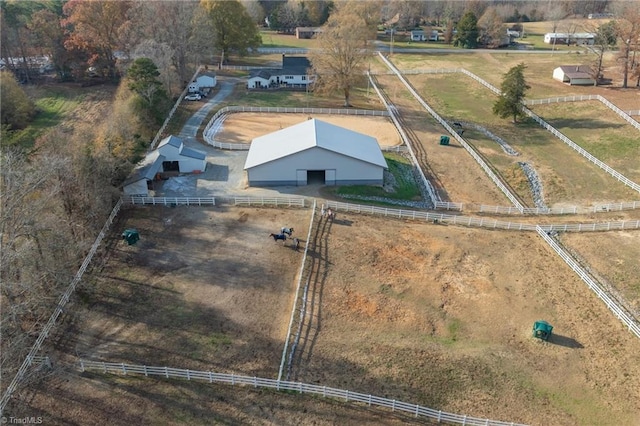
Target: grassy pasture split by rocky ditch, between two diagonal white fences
x=567, y=177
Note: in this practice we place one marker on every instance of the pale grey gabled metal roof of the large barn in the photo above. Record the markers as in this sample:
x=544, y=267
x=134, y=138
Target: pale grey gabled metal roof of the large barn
x=314, y=133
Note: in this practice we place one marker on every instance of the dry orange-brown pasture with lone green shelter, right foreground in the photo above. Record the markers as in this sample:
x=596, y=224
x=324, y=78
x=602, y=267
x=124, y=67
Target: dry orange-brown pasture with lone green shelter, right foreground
x=425, y=311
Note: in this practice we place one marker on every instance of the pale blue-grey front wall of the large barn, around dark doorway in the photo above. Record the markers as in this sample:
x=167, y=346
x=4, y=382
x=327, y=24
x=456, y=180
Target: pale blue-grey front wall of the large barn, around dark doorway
x=284, y=171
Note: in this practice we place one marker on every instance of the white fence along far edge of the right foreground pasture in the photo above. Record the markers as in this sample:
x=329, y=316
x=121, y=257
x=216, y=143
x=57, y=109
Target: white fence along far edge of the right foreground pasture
x=480, y=222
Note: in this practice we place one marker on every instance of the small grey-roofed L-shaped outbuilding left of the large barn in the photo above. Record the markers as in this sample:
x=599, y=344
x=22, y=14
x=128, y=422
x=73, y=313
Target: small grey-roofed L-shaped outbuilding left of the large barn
x=170, y=156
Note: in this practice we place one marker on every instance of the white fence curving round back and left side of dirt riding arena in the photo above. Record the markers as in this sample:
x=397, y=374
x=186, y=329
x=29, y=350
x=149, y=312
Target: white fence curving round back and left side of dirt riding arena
x=214, y=124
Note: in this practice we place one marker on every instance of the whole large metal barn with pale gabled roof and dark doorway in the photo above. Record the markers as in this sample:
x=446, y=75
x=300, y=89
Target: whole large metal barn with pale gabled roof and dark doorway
x=315, y=151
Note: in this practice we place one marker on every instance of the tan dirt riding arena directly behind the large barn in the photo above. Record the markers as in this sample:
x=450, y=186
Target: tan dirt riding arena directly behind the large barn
x=243, y=127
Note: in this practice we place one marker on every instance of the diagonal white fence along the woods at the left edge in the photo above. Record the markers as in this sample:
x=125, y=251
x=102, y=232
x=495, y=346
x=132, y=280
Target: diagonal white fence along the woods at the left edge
x=64, y=299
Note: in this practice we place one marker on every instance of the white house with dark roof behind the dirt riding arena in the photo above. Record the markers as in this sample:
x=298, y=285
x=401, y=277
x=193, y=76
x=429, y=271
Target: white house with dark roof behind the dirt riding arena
x=295, y=73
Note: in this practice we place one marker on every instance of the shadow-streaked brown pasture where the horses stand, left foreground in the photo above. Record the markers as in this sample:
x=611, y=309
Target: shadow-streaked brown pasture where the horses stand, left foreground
x=205, y=287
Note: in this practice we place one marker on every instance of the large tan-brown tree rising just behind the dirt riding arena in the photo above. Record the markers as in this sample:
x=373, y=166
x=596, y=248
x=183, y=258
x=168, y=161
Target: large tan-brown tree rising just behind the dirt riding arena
x=340, y=61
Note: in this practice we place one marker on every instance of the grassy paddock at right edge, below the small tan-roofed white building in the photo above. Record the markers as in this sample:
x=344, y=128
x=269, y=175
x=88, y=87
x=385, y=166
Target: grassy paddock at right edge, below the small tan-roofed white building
x=600, y=131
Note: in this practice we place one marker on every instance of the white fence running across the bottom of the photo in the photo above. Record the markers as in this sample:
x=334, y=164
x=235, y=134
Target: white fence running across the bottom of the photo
x=258, y=382
